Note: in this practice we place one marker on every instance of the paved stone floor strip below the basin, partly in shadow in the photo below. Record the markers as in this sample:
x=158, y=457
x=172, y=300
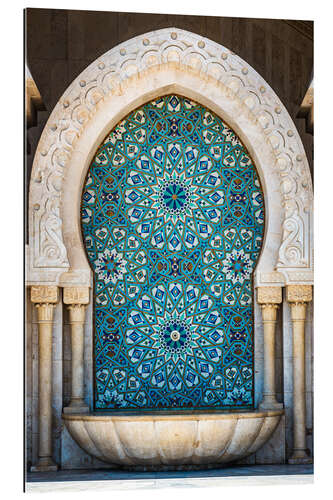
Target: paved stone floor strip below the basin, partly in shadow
x=83, y=480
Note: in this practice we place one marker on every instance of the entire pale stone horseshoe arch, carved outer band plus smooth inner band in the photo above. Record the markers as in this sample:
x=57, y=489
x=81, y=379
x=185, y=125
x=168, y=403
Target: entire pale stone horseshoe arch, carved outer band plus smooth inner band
x=130, y=74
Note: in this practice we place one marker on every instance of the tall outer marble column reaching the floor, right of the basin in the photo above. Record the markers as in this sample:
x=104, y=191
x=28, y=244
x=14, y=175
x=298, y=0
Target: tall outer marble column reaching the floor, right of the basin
x=298, y=297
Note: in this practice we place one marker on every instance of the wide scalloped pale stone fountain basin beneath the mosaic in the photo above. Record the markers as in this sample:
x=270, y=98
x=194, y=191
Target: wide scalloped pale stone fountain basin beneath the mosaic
x=172, y=440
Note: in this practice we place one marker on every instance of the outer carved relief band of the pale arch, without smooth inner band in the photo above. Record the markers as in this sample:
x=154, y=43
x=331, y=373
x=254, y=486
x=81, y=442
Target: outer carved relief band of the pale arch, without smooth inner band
x=108, y=76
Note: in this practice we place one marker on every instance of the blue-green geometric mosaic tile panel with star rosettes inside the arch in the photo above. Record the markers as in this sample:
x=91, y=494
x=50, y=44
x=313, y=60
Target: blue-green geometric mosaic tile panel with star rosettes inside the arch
x=172, y=220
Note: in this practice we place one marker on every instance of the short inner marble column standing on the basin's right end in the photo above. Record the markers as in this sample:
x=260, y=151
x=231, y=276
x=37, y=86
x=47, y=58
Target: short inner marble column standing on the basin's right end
x=269, y=299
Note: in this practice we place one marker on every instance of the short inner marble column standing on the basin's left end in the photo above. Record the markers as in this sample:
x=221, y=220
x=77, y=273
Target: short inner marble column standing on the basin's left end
x=76, y=298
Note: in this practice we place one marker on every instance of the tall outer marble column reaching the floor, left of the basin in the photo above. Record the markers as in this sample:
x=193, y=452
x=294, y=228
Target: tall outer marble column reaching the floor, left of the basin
x=44, y=298
